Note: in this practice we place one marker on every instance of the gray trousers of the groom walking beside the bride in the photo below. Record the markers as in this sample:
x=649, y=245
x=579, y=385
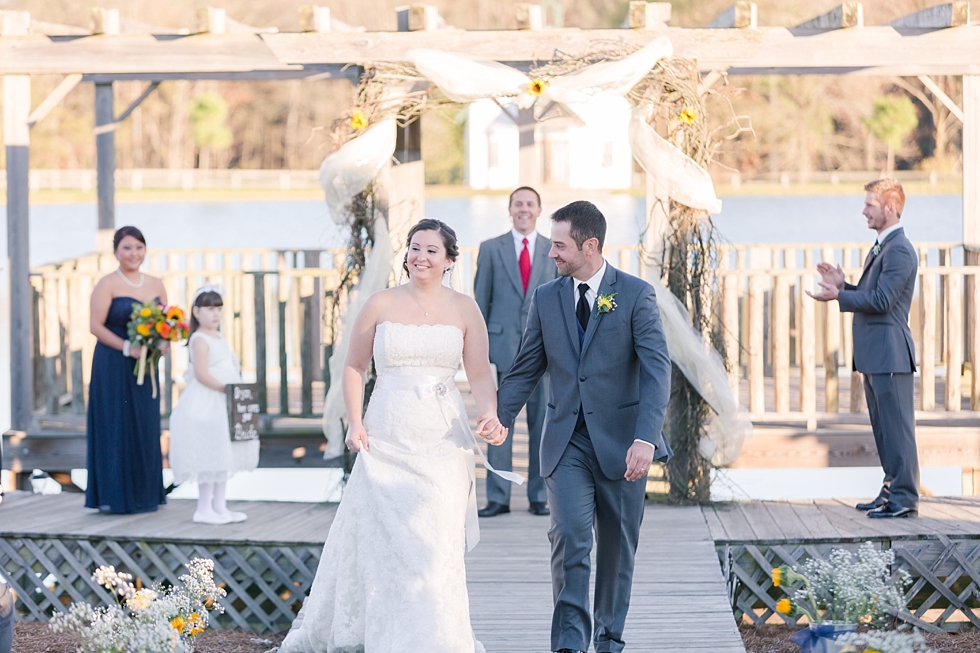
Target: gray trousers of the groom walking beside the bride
x=583, y=499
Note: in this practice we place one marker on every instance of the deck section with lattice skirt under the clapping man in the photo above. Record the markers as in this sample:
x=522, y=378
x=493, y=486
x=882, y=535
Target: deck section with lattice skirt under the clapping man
x=939, y=550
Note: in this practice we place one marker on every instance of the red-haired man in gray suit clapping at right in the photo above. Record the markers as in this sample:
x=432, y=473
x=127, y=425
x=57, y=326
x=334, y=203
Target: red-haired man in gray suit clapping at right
x=883, y=348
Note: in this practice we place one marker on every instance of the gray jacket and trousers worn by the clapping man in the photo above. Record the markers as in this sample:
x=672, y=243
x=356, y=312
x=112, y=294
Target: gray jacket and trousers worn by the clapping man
x=885, y=354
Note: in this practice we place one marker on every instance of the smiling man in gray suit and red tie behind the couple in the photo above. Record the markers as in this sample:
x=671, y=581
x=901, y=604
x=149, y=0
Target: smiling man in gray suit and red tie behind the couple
x=509, y=268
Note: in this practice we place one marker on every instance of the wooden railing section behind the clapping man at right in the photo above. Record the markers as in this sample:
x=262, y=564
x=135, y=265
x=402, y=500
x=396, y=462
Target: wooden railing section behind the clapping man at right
x=776, y=337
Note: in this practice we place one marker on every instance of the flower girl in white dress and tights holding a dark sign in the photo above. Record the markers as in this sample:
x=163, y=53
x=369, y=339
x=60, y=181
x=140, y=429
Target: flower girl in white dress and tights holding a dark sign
x=201, y=448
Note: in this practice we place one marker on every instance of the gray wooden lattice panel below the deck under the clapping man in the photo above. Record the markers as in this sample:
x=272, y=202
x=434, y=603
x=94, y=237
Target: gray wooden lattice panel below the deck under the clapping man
x=945, y=578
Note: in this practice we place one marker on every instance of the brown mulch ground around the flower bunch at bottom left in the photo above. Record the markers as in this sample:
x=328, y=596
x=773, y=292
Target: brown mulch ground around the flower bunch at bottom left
x=34, y=637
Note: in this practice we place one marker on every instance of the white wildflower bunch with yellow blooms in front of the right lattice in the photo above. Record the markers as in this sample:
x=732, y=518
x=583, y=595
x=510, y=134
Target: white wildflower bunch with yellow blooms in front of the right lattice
x=845, y=588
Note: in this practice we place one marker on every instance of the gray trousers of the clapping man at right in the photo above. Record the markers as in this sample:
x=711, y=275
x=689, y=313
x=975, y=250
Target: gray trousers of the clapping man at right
x=891, y=407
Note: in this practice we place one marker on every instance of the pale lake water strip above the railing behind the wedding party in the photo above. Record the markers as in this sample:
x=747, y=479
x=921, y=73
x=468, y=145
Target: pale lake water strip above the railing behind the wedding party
x=60, y=231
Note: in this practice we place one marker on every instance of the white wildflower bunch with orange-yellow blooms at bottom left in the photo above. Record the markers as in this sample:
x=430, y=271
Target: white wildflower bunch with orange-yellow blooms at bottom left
x=147, y=620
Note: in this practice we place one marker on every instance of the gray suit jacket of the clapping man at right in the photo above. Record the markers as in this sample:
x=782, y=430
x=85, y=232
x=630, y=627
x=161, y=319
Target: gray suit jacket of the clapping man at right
x=880, y=302
